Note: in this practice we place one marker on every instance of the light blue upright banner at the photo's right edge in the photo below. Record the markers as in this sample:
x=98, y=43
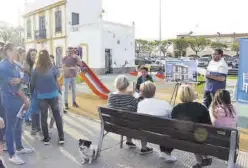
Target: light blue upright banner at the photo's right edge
x=242, y=89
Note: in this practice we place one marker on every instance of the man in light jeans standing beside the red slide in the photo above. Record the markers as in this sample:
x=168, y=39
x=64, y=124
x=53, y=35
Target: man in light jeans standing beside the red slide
x=70, y=63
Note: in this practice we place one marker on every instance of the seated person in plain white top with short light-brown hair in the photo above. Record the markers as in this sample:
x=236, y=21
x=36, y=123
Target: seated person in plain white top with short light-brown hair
x=155, y=107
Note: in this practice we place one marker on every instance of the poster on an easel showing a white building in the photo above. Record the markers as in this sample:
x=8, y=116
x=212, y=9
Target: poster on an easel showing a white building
x=180, y=71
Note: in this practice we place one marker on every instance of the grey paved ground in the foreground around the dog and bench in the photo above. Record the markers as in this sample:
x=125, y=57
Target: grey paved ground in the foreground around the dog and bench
x=76, y=127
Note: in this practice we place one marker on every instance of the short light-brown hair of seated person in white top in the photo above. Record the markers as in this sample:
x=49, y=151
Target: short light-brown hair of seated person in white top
x=148, y=89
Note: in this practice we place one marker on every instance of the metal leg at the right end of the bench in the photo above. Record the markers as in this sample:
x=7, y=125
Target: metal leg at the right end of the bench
x=232, y=151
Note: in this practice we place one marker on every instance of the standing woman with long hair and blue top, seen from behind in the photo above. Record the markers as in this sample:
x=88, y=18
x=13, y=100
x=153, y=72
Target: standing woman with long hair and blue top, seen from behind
x=44, y=81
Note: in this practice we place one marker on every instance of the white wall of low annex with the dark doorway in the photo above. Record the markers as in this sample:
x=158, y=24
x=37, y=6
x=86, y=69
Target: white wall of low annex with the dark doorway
x=125, y=50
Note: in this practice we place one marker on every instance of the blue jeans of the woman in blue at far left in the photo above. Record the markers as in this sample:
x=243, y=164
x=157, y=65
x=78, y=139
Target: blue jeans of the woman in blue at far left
x=13, y=124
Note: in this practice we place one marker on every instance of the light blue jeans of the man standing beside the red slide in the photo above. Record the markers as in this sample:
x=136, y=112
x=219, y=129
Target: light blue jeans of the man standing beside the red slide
x=70, y=82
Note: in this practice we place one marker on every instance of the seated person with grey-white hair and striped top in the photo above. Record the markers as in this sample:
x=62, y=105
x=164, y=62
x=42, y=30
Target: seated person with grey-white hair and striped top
x=123, y=100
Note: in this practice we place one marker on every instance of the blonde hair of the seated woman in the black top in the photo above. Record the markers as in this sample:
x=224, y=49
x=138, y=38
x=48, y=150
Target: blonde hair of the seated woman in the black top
x=186, y=93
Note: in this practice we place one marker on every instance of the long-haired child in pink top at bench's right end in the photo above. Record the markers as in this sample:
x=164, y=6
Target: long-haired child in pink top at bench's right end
x=222, y=112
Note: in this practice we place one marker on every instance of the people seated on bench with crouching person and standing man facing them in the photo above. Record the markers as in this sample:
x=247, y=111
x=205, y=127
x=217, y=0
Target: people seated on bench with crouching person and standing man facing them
x=216, y=109
